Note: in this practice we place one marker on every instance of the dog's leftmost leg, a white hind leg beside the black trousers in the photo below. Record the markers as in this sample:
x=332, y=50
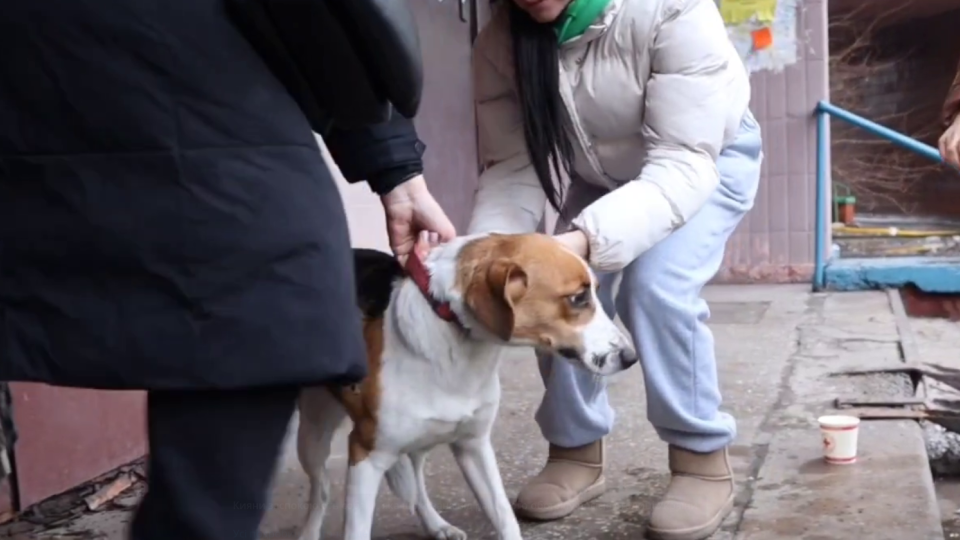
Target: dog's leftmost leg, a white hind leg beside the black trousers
x=320, y=416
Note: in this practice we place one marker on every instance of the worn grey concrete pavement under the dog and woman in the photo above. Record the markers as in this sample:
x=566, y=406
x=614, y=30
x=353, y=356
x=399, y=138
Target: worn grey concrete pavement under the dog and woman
x=777, y=346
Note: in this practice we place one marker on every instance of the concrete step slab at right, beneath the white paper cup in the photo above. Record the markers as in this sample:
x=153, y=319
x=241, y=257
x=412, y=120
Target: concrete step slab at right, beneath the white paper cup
x=889, y=493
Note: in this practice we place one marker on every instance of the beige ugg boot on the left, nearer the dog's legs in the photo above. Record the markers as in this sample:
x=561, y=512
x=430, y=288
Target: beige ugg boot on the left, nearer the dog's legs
x=572, y=477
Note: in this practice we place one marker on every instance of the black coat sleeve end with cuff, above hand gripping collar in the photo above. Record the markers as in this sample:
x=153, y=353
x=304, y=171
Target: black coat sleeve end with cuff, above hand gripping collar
x=385, y=155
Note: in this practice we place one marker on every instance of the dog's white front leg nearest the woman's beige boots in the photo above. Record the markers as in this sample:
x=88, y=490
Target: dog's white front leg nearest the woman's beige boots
x=478, y=462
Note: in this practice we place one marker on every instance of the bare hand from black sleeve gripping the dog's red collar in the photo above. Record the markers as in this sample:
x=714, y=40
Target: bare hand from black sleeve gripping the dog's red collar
x=410, y=210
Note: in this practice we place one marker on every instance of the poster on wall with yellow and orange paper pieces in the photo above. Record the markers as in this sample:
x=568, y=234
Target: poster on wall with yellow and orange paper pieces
x=763, y=31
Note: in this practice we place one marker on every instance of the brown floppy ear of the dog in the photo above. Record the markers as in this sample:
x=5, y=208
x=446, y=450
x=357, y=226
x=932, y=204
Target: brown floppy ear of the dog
x=492, y=298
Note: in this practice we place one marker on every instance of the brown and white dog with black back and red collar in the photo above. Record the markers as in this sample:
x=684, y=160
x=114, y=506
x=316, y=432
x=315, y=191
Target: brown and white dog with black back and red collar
x=433, y=348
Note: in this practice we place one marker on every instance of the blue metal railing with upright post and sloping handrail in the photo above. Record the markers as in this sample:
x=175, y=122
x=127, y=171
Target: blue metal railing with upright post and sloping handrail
x=824, y=111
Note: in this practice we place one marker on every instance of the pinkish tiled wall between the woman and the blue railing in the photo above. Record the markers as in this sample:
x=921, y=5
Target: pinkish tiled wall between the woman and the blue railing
x=775, y=241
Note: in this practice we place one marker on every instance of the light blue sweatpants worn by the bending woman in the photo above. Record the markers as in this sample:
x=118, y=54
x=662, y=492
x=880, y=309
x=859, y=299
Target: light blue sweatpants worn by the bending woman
x=659, y=302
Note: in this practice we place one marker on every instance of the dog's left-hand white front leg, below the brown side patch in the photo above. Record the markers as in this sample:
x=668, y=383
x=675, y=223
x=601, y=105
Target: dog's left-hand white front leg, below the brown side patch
x=363, y=483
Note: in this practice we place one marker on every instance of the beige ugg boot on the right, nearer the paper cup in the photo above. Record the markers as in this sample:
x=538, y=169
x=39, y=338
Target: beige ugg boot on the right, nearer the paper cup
x=698, y=499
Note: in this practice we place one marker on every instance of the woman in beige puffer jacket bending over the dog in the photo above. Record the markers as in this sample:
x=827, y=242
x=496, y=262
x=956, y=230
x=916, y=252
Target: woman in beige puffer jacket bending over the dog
x=643, y=105
